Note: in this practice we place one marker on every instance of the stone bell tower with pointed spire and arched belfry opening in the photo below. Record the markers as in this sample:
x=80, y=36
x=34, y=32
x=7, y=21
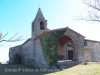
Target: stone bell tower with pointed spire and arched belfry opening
x=39, y=24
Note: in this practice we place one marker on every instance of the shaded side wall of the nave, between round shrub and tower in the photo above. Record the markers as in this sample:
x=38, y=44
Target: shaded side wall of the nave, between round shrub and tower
x=26, y=57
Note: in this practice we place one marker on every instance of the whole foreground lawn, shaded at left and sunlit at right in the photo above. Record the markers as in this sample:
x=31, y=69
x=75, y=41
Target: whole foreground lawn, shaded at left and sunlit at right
x=11, y=69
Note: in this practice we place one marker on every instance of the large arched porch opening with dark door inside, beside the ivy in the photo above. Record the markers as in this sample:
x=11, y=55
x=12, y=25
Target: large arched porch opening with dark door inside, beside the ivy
x=66, y=48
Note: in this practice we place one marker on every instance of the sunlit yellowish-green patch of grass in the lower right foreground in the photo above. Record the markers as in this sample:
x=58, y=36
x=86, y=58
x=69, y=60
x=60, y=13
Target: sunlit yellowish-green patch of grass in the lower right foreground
x=89, y=69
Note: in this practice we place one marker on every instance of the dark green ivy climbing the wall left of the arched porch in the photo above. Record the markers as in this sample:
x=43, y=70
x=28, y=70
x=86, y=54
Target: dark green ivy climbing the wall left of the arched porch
x=49, y=43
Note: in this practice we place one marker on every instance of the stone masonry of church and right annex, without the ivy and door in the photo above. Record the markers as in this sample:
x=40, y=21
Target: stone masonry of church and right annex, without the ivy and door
x=31, y=50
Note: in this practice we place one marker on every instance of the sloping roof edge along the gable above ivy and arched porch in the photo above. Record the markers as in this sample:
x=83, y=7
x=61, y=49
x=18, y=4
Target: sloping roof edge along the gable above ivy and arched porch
x=66, y=28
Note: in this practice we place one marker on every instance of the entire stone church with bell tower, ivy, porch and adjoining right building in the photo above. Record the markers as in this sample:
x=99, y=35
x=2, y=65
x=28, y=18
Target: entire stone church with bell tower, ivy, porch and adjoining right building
x=59, y=44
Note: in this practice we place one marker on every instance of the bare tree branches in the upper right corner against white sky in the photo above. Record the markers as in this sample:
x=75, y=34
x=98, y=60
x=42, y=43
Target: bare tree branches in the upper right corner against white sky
x=93, y=11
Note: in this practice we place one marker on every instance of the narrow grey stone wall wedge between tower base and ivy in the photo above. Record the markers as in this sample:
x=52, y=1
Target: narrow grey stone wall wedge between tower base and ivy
x=39, y=58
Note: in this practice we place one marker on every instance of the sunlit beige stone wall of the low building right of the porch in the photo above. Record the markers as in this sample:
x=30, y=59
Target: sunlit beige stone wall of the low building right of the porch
x=92, y=51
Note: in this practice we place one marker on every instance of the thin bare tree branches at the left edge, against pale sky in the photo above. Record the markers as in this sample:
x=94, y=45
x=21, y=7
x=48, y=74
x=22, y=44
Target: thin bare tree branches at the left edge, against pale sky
x=10, y=39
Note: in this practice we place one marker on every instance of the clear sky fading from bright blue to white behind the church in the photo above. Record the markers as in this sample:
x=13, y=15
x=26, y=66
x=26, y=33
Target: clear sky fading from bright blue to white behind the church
x=17, y=16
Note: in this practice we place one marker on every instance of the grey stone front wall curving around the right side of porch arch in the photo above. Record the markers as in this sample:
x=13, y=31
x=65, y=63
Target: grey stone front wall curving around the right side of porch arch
x=78, y=42
